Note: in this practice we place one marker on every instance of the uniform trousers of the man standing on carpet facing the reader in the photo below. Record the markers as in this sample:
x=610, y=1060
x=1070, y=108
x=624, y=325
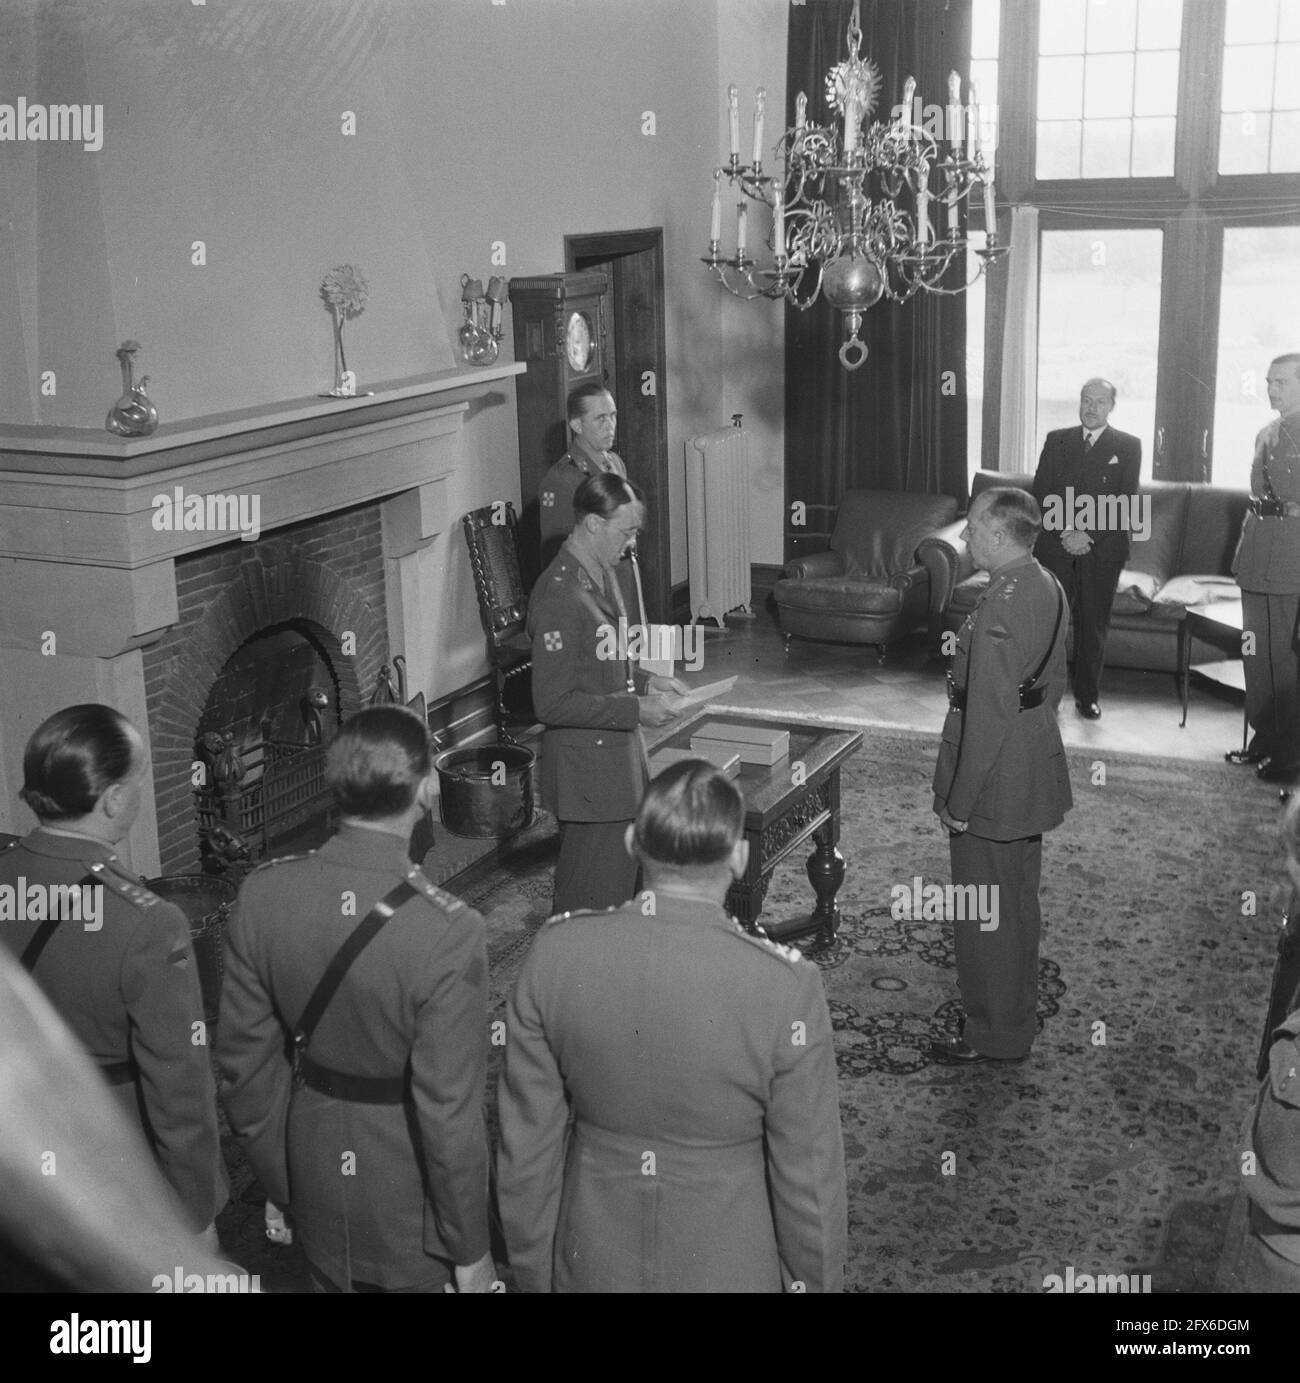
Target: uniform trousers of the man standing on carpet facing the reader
x=998, y=972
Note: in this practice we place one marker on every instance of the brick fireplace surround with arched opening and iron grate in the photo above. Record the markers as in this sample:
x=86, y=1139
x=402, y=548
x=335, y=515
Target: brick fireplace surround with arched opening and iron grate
x=266, y=634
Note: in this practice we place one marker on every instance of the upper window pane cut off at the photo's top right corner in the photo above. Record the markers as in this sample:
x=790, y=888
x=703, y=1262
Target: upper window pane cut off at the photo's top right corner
x=1259, y=128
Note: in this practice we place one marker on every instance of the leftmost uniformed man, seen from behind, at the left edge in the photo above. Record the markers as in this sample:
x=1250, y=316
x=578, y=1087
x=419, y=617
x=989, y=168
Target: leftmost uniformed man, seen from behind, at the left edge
x=114, y=959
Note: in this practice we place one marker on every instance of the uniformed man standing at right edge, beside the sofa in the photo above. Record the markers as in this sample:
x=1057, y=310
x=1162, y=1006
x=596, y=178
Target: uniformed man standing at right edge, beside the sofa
x=1267, y=569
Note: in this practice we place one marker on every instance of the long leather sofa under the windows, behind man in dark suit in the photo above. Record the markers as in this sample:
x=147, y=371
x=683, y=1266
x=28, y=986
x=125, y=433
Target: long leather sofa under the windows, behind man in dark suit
x=1187, y=559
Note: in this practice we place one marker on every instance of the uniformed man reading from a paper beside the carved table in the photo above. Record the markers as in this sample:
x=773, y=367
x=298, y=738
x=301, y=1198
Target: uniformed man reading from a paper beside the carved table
x=591, y=696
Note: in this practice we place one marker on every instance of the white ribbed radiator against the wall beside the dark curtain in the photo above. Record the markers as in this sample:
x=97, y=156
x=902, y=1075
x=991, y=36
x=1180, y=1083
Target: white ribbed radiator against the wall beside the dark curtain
x=718, y=523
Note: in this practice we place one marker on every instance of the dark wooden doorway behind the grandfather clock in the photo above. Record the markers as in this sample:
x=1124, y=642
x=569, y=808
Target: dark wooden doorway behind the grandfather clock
x=634, y=262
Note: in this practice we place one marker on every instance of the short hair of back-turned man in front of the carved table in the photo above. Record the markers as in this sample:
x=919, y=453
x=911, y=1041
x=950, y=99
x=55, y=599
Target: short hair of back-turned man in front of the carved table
x=692, y=815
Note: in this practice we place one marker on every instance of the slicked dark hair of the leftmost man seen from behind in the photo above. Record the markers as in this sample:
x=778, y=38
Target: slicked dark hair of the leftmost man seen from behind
x=74, y=759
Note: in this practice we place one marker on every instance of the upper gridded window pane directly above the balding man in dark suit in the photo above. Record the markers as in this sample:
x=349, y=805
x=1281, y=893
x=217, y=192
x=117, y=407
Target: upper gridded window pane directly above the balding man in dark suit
x=1108, y=88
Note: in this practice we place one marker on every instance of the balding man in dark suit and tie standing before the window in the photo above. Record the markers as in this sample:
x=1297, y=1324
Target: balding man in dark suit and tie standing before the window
x=1086, y=486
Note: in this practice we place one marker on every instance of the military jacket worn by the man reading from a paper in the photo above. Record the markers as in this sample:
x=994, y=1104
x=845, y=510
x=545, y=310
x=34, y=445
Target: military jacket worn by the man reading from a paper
x=593, y=753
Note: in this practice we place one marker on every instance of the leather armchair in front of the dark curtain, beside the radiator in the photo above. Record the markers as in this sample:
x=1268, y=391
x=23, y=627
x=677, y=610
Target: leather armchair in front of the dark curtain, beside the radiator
x=868, y=587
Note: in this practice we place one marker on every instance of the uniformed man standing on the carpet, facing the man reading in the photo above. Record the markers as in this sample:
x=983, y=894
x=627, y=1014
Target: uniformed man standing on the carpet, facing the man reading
x=1002, y=779
